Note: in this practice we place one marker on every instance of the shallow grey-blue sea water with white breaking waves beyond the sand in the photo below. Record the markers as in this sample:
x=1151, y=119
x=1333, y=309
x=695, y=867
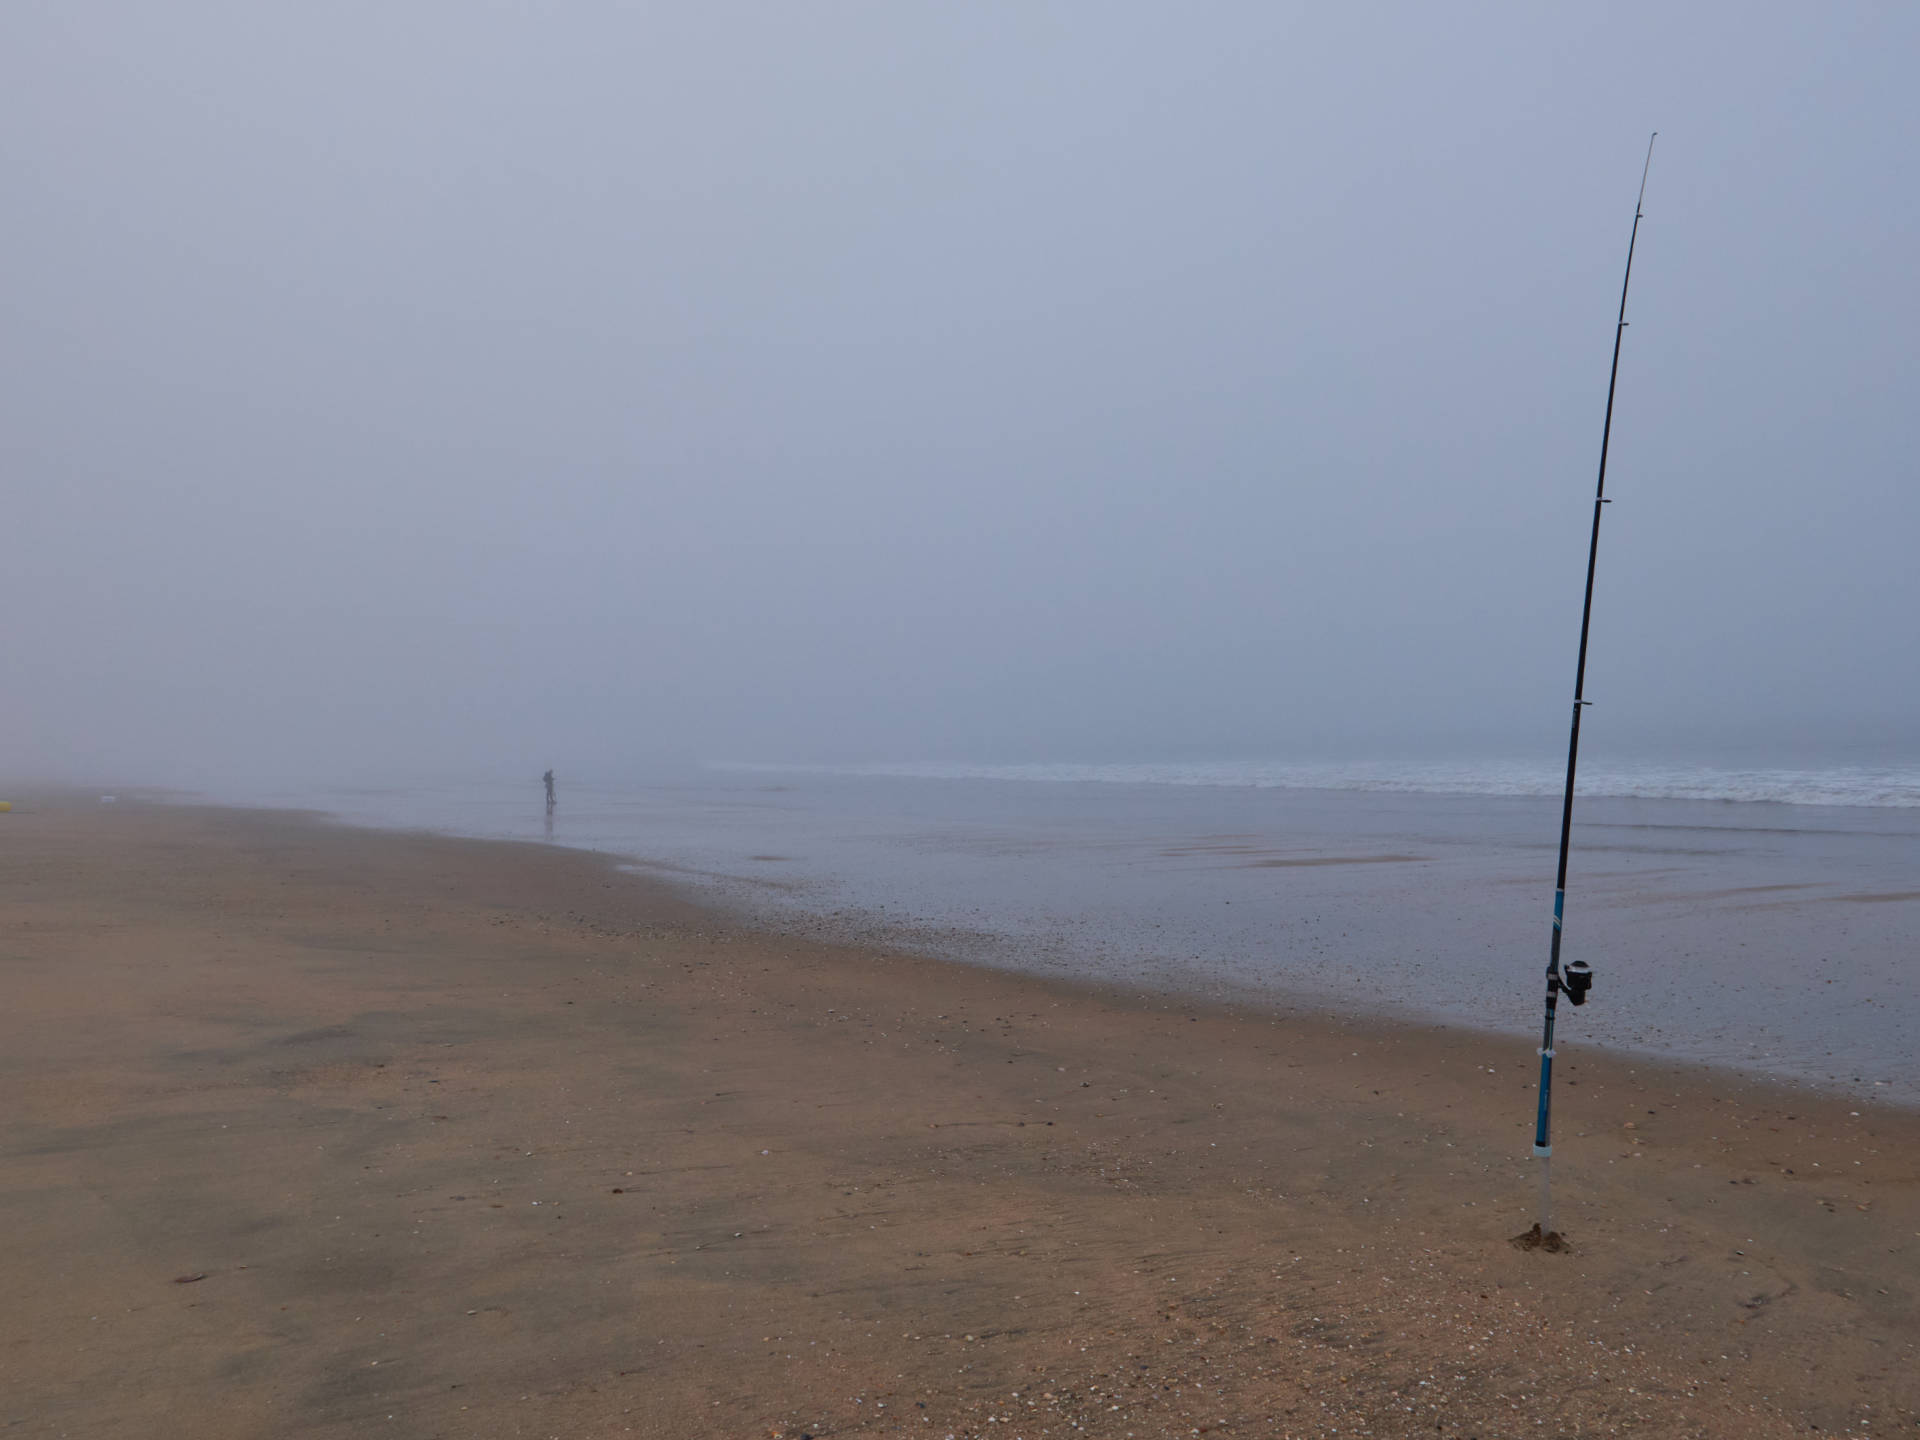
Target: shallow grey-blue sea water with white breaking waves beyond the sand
x=1723, y=923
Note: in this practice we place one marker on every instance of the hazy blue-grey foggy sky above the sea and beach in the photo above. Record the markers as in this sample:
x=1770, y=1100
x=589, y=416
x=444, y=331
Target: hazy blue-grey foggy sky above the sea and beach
x=398, y=385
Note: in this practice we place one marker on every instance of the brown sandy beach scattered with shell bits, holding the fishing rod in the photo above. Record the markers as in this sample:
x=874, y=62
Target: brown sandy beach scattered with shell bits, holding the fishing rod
x=331, y=1132
